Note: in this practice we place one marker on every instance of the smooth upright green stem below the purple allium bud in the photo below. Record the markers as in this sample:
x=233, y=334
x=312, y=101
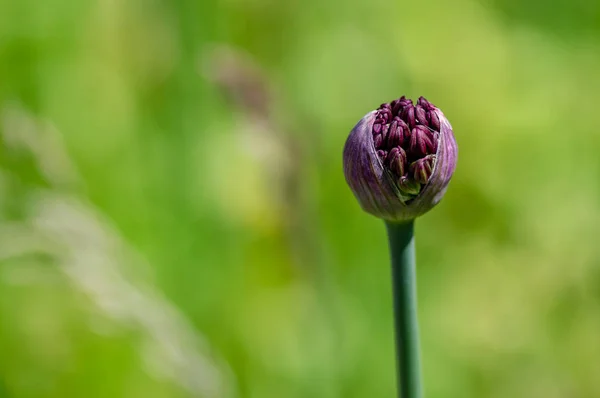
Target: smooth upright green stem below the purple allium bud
x=404, y=284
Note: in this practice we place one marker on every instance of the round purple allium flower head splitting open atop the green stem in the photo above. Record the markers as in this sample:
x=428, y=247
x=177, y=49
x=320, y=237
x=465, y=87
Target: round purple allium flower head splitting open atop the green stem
x=398, y=159
